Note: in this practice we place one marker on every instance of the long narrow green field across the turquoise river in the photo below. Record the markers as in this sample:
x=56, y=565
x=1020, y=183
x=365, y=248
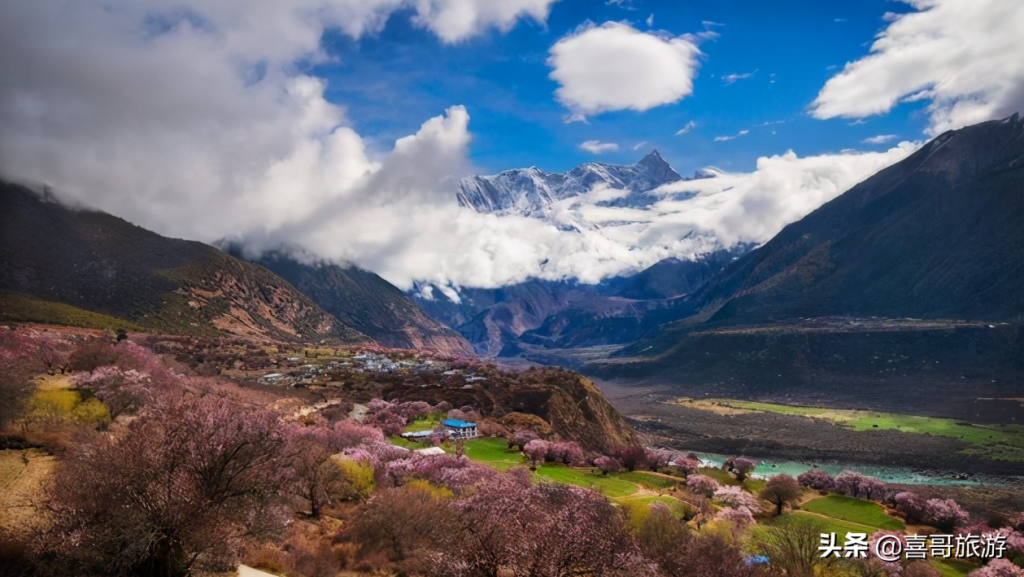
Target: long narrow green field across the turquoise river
x=1005, y=443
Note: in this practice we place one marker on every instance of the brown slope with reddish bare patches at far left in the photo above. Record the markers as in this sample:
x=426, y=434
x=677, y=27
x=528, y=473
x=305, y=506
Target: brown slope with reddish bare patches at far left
x=63, y=266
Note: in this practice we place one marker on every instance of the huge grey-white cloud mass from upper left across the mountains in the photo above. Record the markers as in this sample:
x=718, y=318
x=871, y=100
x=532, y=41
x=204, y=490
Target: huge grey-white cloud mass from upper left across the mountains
x=203, y=129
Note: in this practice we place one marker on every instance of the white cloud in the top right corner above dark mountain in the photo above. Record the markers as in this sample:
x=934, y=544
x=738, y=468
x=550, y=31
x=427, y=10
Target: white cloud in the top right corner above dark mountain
x=962, y=57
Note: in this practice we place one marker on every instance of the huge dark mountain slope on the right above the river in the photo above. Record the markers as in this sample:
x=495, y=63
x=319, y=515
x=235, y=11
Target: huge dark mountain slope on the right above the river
x=907, y=291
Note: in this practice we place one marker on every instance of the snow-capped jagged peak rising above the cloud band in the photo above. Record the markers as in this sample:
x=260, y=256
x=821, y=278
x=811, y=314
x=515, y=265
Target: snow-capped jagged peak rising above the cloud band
x=529, y=192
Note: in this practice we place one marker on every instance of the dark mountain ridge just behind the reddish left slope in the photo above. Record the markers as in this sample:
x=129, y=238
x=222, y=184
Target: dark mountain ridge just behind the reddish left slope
x=369, y=304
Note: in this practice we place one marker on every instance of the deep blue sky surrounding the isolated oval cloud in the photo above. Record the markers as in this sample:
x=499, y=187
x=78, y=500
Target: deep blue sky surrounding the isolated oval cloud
x=391, y=81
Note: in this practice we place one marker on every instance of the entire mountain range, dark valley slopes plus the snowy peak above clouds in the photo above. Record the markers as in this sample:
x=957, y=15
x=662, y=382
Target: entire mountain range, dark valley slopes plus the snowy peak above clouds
x=906, y=290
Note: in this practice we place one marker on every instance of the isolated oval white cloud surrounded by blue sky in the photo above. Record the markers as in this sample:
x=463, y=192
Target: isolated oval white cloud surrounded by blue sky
x=616, y=67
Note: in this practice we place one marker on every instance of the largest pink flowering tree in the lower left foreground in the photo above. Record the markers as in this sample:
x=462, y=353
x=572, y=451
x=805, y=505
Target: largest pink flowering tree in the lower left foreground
x=180, y=492
